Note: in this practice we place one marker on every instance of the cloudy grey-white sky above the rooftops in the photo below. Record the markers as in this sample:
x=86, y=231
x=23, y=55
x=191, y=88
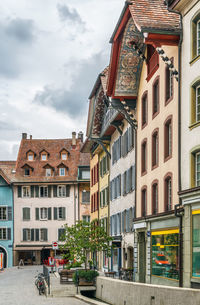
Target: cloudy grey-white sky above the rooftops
x=51, y=53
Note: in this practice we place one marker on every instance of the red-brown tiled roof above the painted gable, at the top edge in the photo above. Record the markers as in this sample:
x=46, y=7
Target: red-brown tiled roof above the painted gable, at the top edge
x=153, y=14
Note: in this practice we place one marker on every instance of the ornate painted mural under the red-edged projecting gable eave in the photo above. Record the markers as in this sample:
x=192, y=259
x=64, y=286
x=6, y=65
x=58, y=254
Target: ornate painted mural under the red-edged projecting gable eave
x=129, y=64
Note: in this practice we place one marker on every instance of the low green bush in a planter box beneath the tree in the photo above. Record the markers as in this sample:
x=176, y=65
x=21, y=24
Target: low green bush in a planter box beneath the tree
x=85, y=277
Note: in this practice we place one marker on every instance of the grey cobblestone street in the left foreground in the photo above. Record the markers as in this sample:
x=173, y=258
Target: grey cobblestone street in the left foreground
x=17, y=288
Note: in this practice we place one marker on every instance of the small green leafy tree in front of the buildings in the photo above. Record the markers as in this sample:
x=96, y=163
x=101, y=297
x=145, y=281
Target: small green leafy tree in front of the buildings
x=84, y=238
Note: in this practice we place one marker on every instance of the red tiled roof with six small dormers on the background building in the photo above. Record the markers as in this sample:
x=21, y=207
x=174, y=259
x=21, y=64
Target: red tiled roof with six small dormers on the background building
x=53, y=147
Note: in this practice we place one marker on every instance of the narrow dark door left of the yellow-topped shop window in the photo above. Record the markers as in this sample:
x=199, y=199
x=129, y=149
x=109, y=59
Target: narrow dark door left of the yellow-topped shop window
x=142, y=257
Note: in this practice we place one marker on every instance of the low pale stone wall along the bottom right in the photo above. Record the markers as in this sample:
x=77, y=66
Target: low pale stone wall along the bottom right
x=117, y=292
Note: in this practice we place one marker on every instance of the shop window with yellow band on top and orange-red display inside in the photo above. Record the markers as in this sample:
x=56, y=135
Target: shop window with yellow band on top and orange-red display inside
x=165, y=257
